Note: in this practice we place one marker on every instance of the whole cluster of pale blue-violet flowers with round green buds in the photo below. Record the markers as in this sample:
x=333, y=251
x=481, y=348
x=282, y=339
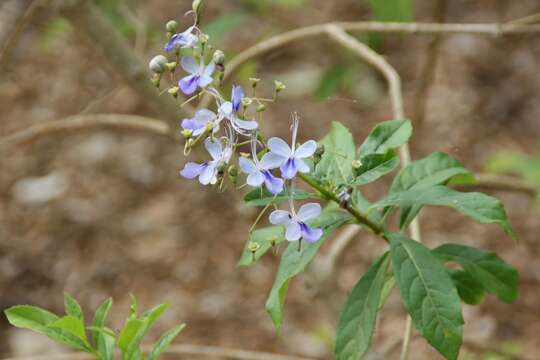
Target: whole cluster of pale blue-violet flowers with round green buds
x=232, y=125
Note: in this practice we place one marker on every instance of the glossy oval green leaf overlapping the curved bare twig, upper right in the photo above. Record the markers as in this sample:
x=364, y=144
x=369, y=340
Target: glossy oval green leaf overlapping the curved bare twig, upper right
x=385, y=136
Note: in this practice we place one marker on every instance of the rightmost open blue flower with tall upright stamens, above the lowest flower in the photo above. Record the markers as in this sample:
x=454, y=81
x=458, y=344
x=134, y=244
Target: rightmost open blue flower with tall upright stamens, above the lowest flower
x=289, y=160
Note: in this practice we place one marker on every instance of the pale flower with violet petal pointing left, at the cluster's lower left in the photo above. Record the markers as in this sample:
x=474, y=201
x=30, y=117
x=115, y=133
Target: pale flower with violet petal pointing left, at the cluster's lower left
x=208, y=170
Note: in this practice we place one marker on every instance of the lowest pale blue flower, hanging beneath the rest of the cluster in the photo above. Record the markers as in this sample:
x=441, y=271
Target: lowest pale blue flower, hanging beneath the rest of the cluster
x=295, y=223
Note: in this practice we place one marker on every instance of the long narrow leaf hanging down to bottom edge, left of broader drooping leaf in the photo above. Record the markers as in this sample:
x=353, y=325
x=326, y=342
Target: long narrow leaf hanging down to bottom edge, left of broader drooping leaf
x=357, y=321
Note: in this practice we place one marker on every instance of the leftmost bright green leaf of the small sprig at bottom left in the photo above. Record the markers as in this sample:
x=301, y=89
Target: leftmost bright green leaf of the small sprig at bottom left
x=30, y=317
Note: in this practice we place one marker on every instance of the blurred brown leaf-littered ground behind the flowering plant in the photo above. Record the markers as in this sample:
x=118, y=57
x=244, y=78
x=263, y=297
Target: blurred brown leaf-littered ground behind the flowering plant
x=104, y=213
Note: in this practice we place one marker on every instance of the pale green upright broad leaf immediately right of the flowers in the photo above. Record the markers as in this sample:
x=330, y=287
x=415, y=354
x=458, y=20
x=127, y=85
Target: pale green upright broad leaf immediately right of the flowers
x=339, y=152
